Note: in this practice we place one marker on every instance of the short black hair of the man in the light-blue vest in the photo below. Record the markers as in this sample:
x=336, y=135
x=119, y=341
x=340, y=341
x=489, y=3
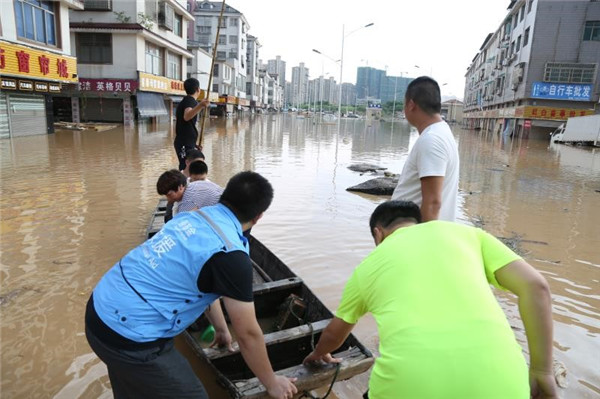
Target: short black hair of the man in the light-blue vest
x=247, y=194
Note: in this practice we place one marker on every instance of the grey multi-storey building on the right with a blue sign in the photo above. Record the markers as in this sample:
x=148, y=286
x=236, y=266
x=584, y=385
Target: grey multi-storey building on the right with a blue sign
x=537, y=69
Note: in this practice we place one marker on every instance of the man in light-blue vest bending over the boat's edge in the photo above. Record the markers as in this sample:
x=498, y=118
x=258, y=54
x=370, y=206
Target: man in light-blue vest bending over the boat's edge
x=159, y=288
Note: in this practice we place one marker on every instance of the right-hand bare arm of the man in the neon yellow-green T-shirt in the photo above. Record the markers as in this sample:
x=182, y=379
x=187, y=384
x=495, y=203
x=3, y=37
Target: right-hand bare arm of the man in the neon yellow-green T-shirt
x=535, y=309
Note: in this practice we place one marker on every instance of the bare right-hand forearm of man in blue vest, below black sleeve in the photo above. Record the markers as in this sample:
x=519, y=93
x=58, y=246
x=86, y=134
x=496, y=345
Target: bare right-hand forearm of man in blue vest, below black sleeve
x=252, y=345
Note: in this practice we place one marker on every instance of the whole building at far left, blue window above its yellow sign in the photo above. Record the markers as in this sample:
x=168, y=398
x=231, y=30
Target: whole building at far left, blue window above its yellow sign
x=36, y=66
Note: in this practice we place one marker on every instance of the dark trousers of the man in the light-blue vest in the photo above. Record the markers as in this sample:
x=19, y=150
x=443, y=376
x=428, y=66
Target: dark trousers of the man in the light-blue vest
x=160, y=372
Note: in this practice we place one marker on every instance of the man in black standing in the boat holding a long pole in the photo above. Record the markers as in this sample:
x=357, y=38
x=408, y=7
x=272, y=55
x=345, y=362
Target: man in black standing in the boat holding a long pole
x=186, y=133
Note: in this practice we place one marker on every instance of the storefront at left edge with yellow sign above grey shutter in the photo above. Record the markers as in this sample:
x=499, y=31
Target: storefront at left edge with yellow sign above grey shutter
x=30, y=79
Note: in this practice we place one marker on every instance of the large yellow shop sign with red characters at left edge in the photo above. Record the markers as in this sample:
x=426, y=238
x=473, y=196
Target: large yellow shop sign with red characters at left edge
x=23, y=61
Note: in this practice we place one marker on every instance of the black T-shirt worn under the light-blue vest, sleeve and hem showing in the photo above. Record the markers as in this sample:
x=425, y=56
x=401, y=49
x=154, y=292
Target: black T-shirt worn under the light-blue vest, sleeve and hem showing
x=224, y=274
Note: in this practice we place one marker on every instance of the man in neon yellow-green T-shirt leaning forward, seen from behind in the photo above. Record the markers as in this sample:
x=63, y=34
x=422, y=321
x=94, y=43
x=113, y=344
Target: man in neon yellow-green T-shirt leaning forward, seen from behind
x=442, y=333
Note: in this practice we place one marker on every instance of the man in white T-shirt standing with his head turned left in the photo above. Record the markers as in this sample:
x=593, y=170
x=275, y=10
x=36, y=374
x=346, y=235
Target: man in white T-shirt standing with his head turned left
x=430, y=175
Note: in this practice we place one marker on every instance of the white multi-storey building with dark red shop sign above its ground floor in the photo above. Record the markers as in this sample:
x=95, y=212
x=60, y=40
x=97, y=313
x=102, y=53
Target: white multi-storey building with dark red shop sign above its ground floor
x=132, y=58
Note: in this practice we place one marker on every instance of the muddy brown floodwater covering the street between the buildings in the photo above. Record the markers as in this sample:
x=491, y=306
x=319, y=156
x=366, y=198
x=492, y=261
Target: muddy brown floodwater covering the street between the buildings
x=74, y=202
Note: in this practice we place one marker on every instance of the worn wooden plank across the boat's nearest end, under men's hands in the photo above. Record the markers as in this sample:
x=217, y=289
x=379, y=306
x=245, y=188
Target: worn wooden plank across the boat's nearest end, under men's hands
x=354, y=362
